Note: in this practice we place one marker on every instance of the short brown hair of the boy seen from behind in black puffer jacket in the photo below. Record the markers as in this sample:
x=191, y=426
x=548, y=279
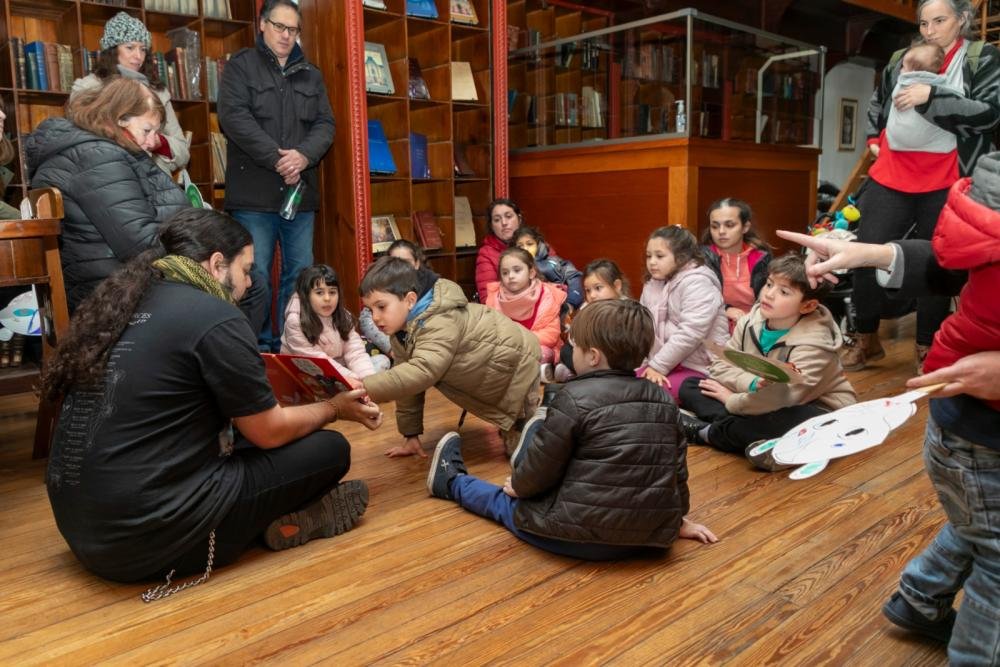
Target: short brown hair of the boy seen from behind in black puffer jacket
x=620, y=328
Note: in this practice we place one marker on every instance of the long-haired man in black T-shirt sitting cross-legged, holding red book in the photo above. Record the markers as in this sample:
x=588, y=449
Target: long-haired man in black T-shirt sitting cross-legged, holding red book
x=145, y=479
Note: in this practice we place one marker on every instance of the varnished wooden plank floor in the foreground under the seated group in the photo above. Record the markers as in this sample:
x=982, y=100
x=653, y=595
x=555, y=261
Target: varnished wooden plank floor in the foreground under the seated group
x=798, y=576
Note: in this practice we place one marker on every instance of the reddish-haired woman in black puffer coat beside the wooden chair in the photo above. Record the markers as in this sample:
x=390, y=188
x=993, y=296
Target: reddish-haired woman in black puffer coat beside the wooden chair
x=114, y=195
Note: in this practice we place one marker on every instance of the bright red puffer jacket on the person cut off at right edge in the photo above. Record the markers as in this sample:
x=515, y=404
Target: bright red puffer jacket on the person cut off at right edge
x=967, y=237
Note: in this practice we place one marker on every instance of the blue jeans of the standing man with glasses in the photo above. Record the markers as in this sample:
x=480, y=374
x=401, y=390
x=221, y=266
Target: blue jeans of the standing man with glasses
x=295, y=237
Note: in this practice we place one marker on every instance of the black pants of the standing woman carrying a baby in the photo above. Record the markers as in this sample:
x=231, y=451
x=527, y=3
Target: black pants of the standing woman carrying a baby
x=886, y=215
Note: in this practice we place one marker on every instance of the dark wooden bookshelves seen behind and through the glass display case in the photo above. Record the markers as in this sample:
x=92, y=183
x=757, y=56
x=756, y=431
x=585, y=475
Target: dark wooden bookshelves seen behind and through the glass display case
x=635, y=79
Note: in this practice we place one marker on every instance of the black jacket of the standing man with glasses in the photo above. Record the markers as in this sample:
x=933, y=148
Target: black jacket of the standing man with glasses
x=264, y=107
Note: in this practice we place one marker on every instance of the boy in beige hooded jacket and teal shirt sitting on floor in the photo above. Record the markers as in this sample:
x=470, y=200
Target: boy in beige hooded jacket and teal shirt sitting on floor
x=787, y=325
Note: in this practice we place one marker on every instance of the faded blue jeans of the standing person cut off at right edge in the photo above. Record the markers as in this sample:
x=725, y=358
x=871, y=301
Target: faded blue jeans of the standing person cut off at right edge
x=966, y=553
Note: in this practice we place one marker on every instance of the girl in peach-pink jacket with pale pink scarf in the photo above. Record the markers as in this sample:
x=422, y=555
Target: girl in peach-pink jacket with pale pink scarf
x=529, y=301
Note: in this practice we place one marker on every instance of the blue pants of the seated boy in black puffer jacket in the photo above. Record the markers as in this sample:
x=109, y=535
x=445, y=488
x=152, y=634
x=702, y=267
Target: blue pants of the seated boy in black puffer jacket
x=489, y=500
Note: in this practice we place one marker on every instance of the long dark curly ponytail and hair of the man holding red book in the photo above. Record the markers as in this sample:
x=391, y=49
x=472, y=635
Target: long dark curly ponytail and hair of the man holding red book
x=98, y=323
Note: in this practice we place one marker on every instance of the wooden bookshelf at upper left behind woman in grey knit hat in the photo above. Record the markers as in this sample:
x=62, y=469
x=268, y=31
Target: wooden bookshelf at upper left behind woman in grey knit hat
x=80, y=24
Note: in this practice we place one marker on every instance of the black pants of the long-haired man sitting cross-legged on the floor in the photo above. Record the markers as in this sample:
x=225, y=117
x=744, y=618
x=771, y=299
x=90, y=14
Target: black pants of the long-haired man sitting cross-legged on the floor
x=275, y=482
